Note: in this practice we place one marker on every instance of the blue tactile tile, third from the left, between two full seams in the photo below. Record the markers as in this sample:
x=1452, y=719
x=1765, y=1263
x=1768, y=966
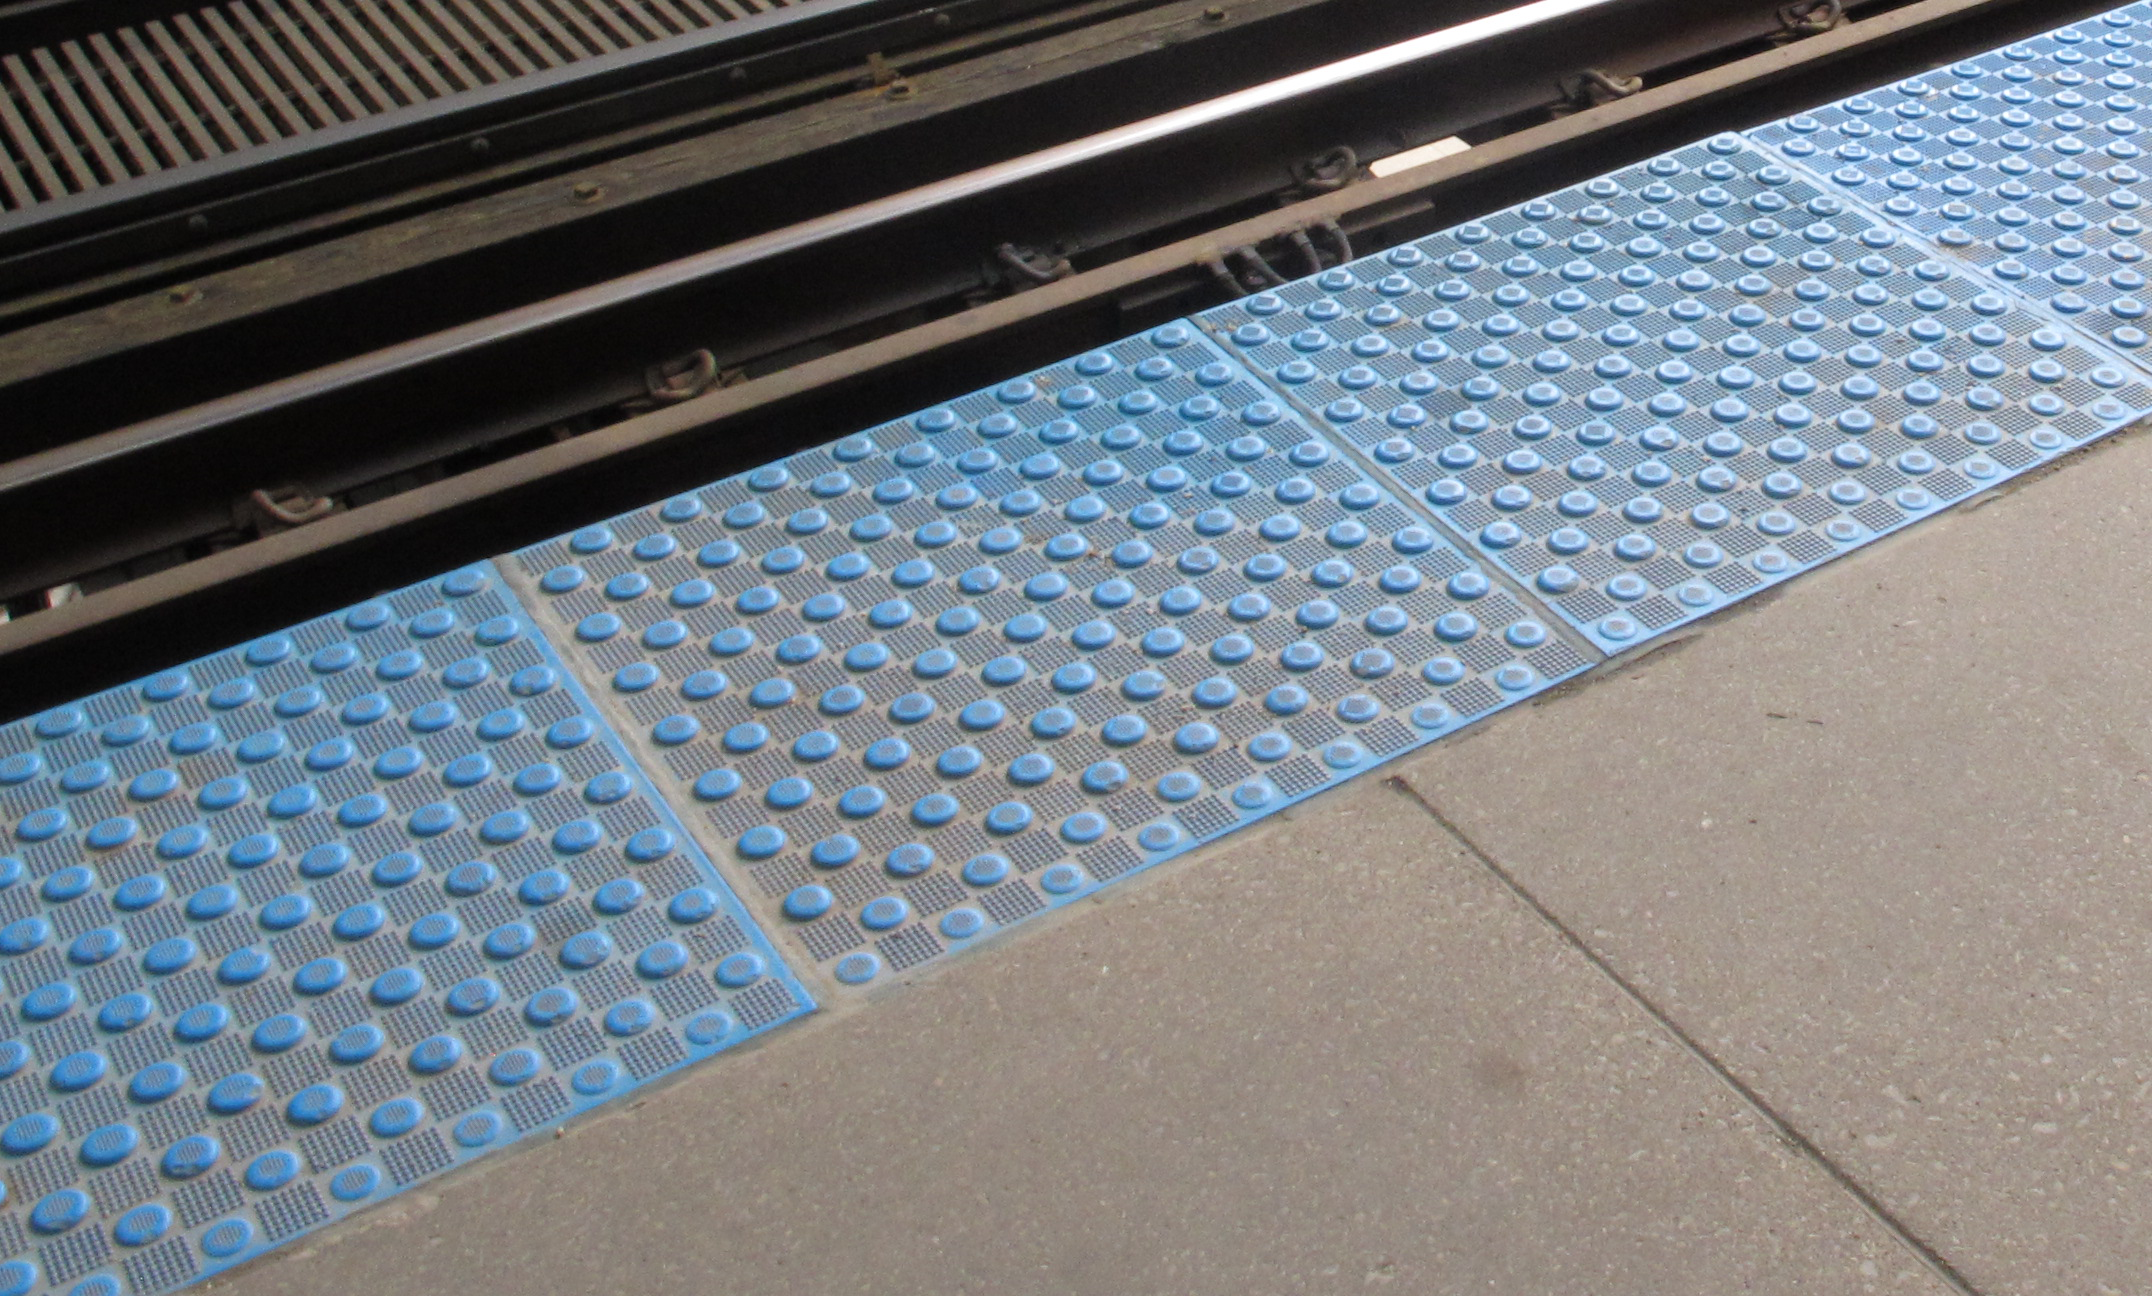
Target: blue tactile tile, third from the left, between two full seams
x=1673, y=386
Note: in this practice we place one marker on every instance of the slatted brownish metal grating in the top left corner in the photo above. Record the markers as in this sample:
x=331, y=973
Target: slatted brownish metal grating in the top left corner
x=201, y=85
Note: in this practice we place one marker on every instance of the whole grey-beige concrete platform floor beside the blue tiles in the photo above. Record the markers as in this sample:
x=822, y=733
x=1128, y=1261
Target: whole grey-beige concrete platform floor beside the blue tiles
x=1875, y=847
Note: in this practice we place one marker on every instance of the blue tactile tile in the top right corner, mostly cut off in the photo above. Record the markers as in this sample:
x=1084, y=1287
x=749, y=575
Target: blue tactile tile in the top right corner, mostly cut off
x=2028, y=163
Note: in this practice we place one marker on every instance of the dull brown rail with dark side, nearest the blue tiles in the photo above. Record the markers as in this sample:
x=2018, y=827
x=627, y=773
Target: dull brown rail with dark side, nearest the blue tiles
x=128, y=630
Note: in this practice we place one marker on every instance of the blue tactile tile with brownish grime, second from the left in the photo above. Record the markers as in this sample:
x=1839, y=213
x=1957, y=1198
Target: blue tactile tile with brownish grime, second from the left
x=941, y=677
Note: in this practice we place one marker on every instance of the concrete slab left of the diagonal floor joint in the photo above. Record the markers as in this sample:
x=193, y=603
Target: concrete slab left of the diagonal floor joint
x=1327, y=1056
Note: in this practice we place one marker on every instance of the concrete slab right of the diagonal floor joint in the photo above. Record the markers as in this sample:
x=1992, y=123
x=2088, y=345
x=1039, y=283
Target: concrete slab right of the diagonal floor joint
x=1882, y=847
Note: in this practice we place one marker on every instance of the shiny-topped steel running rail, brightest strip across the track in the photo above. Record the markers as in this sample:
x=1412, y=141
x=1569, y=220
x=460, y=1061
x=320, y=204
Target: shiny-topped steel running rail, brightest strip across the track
x=851, y=221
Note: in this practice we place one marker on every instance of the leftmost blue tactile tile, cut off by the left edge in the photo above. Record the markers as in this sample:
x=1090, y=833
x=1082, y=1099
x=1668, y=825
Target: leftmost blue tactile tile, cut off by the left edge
x=296, y=927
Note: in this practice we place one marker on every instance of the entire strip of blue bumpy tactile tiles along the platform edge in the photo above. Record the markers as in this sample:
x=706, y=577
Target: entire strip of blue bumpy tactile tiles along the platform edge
x=294, y=927
